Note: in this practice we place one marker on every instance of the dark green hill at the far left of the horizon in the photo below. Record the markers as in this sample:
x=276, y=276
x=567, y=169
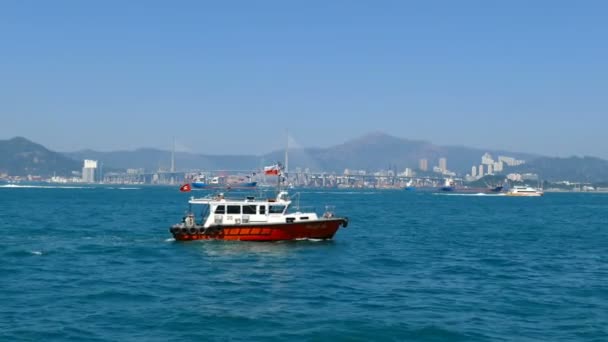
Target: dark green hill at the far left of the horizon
x=20, y=157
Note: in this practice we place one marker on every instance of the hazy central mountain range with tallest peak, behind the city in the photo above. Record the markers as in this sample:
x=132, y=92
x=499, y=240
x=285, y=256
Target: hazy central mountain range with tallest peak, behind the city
x=370, y=152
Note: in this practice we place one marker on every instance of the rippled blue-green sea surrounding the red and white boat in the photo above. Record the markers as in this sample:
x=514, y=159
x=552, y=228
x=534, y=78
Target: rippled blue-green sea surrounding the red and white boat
x=97, y=263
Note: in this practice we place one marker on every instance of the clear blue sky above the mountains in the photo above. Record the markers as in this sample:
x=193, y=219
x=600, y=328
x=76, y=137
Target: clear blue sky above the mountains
x=231, y=76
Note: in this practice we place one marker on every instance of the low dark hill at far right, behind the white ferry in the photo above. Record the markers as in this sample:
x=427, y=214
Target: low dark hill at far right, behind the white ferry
x=577, y=169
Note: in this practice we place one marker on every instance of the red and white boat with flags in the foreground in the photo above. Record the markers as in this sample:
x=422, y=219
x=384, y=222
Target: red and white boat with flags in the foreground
x=255, y=219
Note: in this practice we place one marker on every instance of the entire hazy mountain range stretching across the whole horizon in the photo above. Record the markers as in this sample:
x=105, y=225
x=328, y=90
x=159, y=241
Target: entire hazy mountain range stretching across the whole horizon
x=19, y=156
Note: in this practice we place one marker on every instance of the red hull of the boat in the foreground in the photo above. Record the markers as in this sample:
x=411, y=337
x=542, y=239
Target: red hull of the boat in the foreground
x=319, y=229
